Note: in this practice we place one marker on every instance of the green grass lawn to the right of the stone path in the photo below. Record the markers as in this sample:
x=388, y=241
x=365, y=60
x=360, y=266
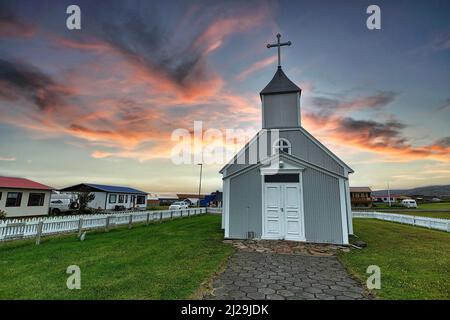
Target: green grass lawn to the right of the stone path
x=414, y=262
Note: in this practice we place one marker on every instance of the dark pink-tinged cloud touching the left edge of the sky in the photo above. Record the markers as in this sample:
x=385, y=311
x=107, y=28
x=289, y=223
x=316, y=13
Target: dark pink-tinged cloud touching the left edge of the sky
x=18, y=79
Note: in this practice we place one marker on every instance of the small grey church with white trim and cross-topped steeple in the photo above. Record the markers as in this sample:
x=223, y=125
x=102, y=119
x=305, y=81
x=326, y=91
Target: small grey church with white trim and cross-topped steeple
x=285, y=184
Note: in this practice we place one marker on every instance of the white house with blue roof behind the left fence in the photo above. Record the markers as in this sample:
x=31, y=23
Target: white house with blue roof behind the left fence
x=111, y=197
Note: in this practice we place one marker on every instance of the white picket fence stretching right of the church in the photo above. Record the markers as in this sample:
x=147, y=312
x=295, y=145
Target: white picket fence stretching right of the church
x=431, y=223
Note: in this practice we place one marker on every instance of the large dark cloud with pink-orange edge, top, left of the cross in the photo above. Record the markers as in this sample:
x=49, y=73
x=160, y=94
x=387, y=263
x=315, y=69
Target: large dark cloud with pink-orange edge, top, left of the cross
x=176, y=50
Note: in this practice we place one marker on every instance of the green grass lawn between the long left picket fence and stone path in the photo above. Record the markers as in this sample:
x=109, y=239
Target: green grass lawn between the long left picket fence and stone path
x=161, y=261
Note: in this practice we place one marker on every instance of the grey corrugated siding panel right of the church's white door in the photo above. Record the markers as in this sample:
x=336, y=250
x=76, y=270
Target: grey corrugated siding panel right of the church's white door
x=323, y=222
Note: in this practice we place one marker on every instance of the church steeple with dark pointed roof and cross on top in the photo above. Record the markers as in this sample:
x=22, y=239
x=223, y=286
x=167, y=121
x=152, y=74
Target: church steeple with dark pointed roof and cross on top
x=280, y=98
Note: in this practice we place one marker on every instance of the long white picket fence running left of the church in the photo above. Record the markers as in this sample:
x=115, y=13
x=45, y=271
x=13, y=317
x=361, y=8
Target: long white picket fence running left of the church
x=42, y=226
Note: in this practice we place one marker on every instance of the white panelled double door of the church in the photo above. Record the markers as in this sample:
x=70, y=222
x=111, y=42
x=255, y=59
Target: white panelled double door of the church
x=283, y=214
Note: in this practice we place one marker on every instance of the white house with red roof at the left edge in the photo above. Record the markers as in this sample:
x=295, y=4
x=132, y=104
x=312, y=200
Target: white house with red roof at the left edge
x=21, y=197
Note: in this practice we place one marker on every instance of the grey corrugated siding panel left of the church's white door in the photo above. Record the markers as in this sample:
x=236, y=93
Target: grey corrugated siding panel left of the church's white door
x=245, y=205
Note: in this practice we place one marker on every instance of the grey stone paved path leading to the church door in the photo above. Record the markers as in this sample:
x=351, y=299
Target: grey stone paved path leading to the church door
x=262, y=275
